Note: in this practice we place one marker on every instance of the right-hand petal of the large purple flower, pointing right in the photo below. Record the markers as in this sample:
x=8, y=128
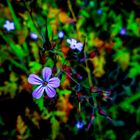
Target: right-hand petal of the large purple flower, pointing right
x=54, y=82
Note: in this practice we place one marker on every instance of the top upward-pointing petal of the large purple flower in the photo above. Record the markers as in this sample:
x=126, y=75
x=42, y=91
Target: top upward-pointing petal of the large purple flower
x=46, y=73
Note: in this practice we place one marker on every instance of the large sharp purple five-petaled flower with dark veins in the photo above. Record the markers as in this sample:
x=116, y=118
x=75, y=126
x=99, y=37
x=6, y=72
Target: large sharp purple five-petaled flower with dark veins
x=48, y=84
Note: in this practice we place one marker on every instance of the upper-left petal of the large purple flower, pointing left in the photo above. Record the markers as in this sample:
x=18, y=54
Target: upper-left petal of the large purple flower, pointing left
x=34, y=79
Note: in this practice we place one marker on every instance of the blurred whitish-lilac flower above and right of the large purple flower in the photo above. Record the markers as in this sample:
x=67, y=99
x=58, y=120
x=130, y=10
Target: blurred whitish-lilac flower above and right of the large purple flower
x=75, y=45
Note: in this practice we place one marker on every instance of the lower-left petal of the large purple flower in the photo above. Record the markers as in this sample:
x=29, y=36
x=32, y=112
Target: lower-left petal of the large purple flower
x=37, y=93
